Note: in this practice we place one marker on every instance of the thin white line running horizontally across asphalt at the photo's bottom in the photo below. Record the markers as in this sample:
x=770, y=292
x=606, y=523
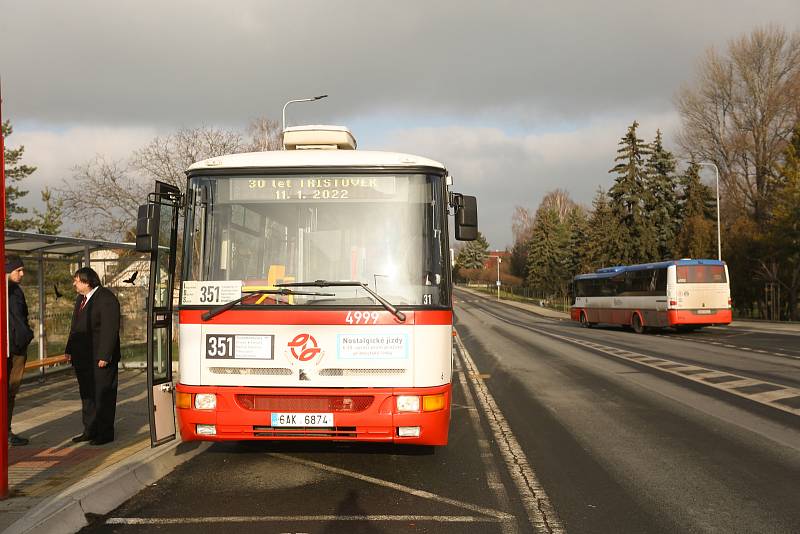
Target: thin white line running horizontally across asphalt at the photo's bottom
x=281, y=518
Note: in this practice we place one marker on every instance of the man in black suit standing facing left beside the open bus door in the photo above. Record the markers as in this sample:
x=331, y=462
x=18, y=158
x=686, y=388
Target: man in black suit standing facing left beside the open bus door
x=94, y=350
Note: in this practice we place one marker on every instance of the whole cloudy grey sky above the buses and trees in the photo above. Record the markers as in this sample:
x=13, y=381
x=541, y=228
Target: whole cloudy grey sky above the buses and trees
x=516, y=98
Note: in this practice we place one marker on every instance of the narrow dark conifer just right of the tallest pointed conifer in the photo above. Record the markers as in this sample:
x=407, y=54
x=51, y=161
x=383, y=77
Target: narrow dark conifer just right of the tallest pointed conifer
x=662, y=200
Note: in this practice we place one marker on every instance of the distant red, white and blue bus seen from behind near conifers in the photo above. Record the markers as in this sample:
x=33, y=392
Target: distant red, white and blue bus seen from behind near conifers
x=684, y=294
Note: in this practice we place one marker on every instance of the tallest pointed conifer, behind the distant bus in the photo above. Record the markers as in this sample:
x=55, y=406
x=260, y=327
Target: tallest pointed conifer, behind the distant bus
x=629, y=198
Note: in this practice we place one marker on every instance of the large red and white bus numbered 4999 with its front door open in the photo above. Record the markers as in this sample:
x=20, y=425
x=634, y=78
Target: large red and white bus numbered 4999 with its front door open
x=315, y=299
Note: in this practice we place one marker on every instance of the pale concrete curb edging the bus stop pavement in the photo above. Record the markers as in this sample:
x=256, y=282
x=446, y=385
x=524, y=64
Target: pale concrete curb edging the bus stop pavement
x=65, y=513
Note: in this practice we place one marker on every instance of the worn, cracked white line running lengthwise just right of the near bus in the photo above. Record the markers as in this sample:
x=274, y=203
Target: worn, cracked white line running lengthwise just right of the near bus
x=541, y=513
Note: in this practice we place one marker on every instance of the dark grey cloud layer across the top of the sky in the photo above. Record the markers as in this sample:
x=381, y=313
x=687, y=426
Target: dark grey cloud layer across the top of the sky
x=216, y=62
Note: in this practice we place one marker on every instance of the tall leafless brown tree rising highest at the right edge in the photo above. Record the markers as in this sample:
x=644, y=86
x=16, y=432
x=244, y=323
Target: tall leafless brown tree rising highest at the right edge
x=740, y=111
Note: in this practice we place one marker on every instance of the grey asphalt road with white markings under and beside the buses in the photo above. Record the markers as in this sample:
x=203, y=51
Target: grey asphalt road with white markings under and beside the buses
x=555, y=429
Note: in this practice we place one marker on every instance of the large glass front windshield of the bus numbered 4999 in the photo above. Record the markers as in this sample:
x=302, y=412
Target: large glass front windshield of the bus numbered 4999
x=385, y=231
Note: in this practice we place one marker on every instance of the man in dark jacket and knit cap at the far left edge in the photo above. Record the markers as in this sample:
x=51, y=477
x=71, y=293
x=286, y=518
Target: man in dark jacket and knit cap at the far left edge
x=19, y=337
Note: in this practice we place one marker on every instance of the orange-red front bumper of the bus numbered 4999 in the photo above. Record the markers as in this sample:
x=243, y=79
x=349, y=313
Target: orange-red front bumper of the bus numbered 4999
x=359, y=414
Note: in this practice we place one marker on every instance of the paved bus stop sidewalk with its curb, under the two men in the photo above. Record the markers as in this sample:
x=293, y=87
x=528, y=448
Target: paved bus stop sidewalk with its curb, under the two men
x=53, y=482
